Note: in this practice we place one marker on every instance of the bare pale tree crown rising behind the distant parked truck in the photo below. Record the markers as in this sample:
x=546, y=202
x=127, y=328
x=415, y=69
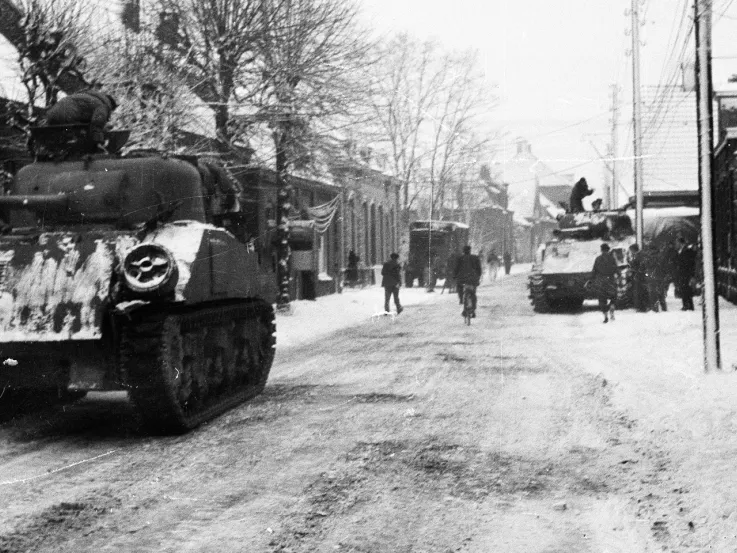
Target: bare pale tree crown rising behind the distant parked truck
x=430, y=106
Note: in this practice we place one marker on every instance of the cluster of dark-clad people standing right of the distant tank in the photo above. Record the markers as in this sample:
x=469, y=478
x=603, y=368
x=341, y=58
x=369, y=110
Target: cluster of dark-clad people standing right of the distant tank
x=655, y=268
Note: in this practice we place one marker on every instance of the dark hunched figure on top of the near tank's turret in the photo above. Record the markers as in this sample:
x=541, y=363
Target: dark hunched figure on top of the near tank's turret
x=88, y=107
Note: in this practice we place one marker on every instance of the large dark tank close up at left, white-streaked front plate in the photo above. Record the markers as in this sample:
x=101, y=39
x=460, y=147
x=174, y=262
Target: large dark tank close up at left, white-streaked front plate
x=140, y=273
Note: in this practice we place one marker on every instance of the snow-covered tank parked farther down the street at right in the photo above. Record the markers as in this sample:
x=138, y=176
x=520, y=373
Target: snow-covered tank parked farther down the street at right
x=561, y=274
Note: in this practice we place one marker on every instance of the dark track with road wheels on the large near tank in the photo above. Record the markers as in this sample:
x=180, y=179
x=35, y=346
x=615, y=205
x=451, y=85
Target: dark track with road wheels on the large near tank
x=187, y=367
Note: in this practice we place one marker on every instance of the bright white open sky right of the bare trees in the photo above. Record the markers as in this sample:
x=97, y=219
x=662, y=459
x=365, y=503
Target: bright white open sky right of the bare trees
x=553, y=62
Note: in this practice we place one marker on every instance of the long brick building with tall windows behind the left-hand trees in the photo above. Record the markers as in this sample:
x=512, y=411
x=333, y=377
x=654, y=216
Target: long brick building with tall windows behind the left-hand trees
x=354, y=208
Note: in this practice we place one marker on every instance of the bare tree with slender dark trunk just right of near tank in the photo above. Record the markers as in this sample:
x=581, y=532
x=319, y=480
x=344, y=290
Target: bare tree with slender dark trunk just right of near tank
x=307, y=59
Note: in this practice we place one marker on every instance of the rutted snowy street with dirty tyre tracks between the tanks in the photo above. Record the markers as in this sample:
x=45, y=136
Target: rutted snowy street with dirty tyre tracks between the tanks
x=419, y=435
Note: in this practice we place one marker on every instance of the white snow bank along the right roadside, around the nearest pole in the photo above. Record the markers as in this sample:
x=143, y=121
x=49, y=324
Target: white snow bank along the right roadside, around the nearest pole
x=654, y=363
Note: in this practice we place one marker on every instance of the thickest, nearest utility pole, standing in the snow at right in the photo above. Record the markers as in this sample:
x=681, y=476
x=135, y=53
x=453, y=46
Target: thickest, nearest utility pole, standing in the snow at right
x=702, y=29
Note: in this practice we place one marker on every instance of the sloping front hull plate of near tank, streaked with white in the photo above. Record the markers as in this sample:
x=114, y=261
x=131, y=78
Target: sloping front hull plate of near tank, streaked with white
x=55, y=286
